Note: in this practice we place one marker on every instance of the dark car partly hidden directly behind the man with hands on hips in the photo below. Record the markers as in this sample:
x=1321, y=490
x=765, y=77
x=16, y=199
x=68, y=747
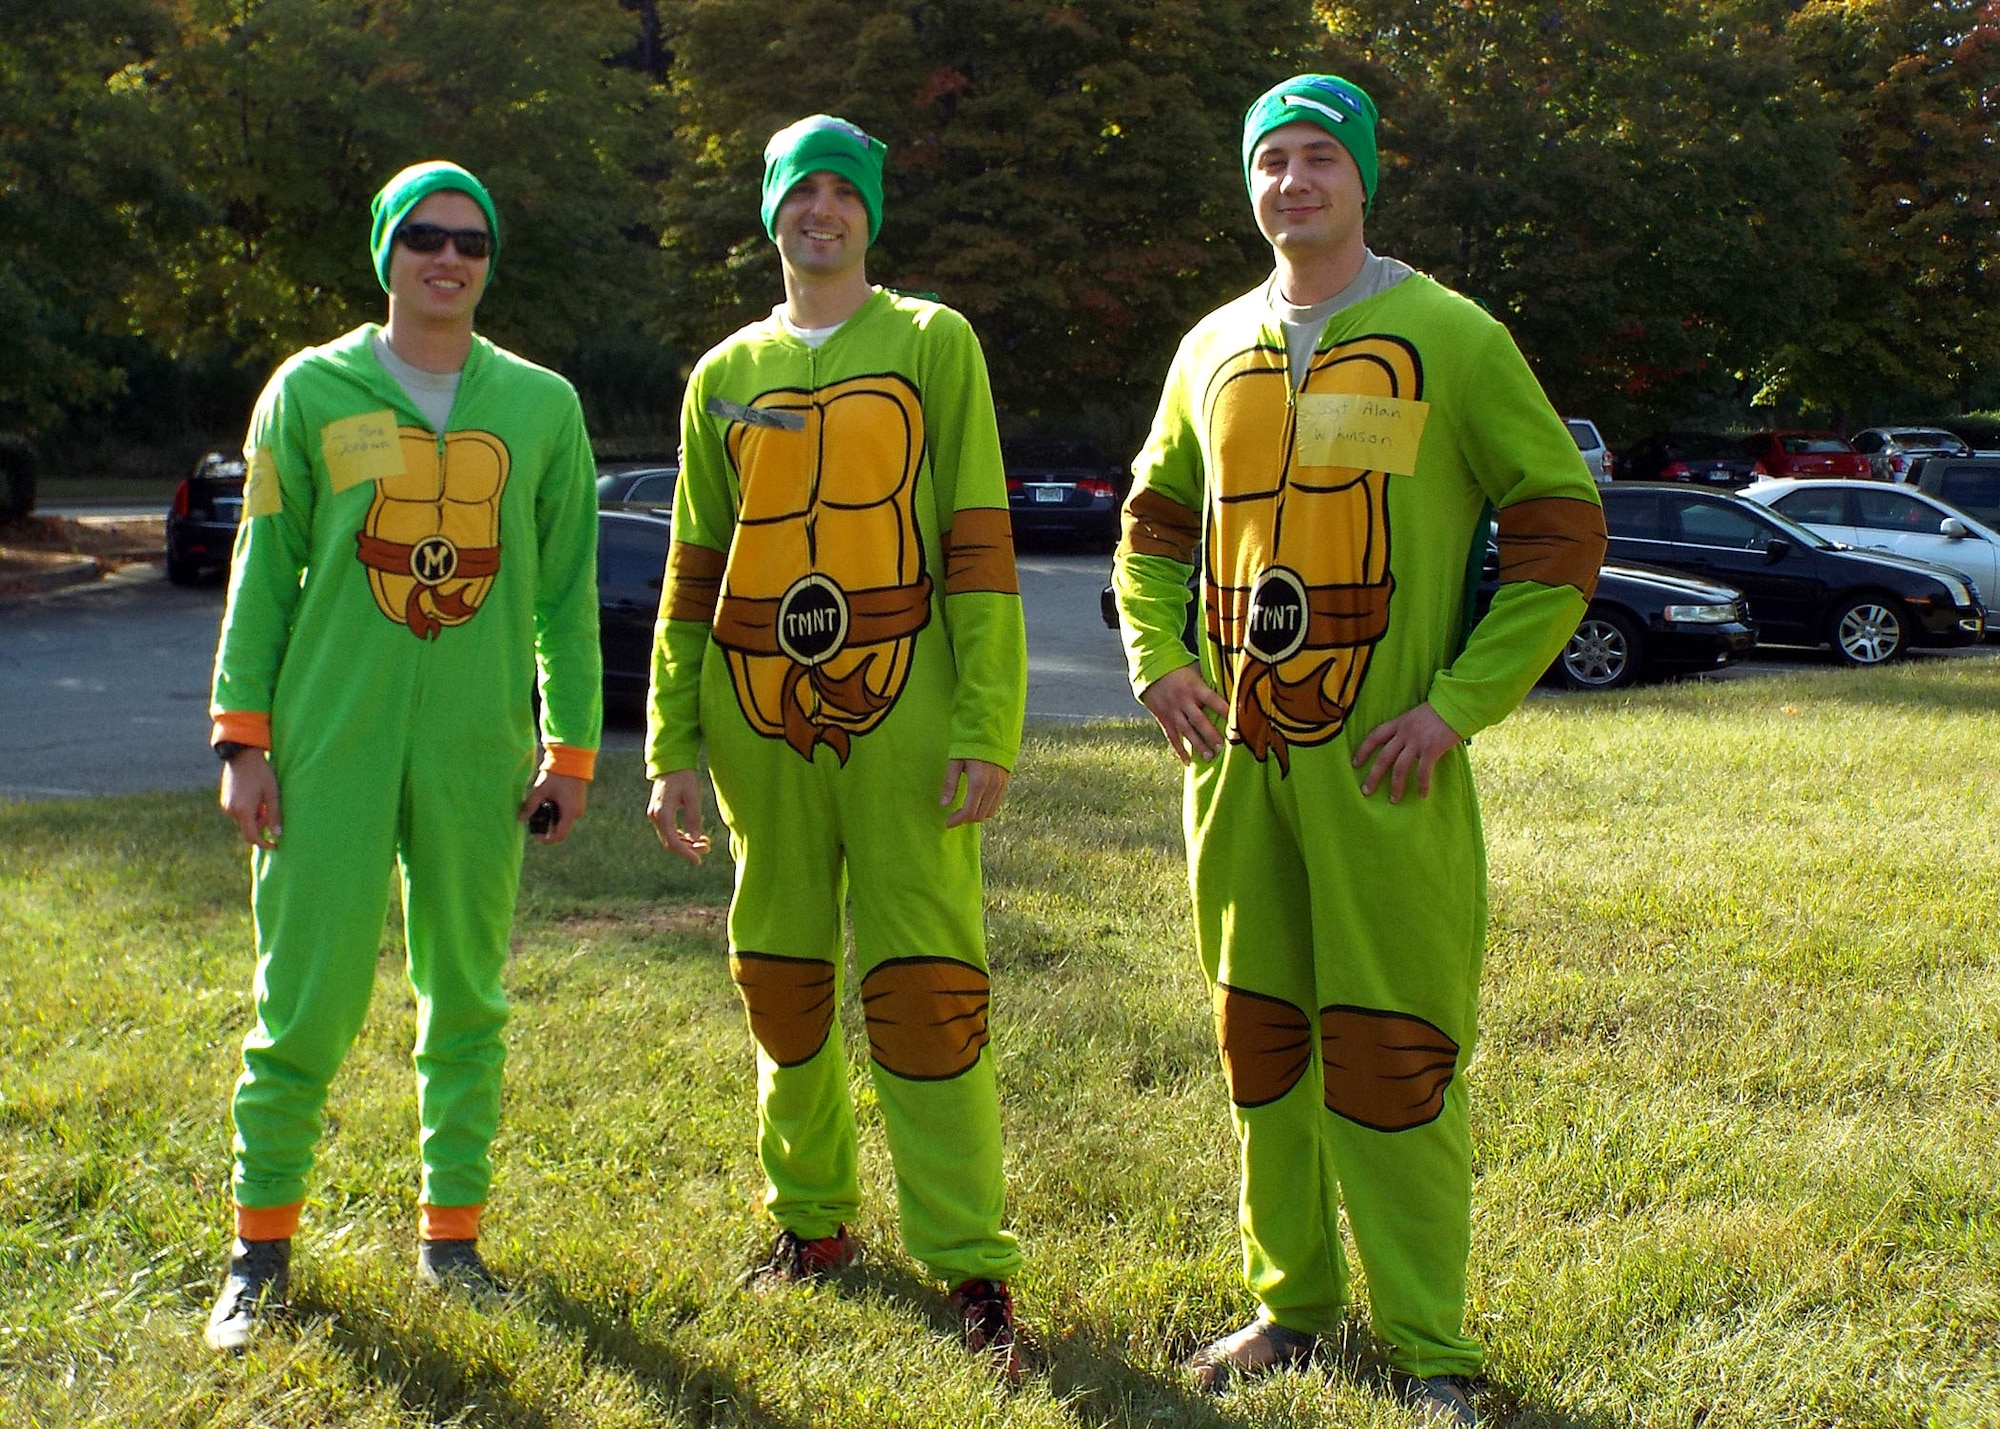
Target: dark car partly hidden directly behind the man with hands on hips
x=1641, y=625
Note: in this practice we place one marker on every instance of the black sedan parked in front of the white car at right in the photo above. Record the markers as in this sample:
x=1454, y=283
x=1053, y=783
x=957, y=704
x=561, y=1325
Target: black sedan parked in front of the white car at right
x=1805, y=589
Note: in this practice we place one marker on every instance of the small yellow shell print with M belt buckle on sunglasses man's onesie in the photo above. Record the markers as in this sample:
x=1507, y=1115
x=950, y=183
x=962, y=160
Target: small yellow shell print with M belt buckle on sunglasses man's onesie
x=433, y=533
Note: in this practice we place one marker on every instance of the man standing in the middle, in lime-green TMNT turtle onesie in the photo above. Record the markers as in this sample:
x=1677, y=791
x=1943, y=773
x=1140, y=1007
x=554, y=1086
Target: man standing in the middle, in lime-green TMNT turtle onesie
x=843, y=629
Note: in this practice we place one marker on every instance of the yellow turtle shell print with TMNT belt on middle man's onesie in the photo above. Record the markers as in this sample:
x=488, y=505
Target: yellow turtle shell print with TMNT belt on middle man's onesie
x=825, y=585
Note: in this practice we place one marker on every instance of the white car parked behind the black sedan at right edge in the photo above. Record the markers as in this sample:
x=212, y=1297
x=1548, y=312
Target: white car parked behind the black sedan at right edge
x=1879, y=517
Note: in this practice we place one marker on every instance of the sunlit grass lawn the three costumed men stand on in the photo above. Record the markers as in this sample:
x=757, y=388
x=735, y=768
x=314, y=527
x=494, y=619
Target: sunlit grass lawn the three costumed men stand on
x=1737, y=1110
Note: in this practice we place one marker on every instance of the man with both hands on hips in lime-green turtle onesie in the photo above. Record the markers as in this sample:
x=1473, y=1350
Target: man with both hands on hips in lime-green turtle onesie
x=1331, y=449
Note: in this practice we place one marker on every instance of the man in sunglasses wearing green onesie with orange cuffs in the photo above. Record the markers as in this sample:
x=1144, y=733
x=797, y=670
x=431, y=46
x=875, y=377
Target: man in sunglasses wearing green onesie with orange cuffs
x=417, y=553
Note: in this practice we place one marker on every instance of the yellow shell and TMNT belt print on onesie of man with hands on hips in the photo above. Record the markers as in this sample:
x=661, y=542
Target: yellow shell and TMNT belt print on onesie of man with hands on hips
x=1297, y=579
